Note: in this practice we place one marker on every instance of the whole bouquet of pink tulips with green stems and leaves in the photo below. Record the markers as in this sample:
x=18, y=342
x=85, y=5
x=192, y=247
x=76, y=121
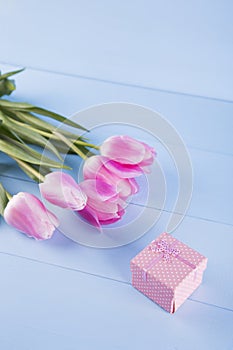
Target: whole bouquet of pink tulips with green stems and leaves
x=109, y=178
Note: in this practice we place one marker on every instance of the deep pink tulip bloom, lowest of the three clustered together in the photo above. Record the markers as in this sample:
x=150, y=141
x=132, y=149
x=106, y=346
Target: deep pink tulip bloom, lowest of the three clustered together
x=103, y=203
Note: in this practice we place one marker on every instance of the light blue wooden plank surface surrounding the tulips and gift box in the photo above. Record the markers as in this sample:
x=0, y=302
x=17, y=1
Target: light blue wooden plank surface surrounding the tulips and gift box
x=176, y=58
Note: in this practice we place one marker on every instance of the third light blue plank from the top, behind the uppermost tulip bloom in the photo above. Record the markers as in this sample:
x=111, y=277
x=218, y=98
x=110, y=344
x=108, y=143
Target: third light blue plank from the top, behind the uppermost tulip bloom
x=212, y=191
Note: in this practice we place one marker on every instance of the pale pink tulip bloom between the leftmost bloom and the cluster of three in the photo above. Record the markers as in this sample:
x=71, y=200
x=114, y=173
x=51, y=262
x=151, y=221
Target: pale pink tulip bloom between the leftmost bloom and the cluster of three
x=62, y=190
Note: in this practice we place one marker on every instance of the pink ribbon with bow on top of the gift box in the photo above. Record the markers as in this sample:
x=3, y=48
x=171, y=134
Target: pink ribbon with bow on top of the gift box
x=167, y=251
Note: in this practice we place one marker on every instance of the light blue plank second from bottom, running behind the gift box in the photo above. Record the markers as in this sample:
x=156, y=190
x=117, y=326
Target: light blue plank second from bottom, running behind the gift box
x=213, y=240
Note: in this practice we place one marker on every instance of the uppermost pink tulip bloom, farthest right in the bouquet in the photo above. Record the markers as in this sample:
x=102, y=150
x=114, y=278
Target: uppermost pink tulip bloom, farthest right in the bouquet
x=128, y=151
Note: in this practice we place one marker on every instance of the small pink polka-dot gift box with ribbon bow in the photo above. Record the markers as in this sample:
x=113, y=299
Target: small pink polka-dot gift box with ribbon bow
x=167, y=271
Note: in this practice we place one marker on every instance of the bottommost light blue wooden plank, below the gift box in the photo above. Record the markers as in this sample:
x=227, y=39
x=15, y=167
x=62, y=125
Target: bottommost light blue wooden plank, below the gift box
x=46, y=306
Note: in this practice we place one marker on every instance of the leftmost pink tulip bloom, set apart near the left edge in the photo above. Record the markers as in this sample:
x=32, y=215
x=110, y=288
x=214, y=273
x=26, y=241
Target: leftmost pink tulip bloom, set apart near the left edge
x=26, y=213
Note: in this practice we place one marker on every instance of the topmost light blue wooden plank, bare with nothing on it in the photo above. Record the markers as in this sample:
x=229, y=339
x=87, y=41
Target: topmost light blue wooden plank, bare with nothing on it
x=177, y=46
